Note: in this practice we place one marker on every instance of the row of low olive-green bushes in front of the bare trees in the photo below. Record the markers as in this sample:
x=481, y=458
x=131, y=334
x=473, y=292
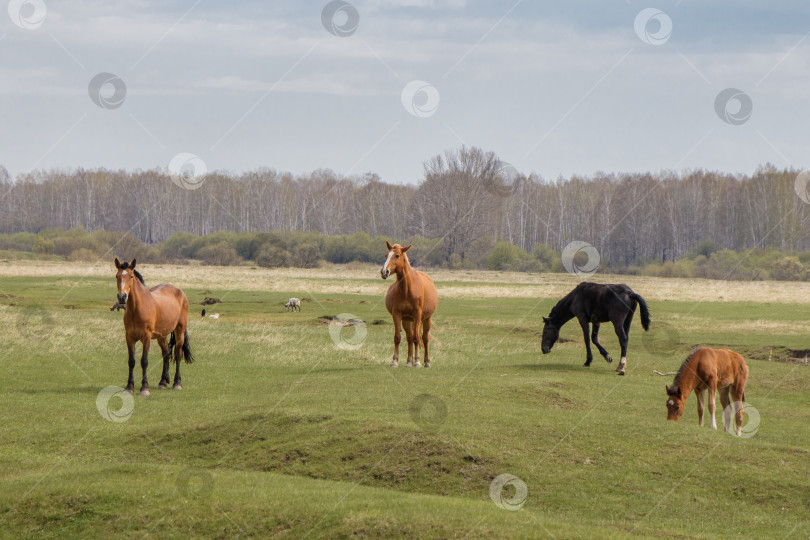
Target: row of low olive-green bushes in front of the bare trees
x=308, y=250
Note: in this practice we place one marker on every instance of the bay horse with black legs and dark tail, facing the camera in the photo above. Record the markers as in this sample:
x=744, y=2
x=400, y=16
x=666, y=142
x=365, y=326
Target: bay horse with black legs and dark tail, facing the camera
x=152, y=314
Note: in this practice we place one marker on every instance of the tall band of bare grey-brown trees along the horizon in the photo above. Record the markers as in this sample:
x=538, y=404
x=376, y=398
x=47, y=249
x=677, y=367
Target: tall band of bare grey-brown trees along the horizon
x=467, y=198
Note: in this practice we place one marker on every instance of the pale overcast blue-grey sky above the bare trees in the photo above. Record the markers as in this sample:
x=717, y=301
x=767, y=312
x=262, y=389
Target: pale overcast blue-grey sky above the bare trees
x=556, y=88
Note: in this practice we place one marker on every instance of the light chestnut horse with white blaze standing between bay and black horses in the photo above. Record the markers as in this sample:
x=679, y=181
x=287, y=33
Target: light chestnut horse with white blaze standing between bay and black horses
x=411, y=300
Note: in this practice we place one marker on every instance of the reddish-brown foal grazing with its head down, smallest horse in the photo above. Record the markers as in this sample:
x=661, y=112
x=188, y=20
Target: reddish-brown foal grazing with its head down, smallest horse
x=713, y=369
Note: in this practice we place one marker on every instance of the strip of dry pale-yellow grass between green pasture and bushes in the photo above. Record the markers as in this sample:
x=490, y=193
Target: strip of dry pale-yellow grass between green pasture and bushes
x=364, y=279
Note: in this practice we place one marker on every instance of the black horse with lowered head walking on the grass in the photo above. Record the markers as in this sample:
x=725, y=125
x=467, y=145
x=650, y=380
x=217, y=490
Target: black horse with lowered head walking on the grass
x=596, y=303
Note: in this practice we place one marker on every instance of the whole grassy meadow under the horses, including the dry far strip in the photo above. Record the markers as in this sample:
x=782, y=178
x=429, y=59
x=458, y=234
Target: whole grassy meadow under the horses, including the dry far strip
x=278, y=432
